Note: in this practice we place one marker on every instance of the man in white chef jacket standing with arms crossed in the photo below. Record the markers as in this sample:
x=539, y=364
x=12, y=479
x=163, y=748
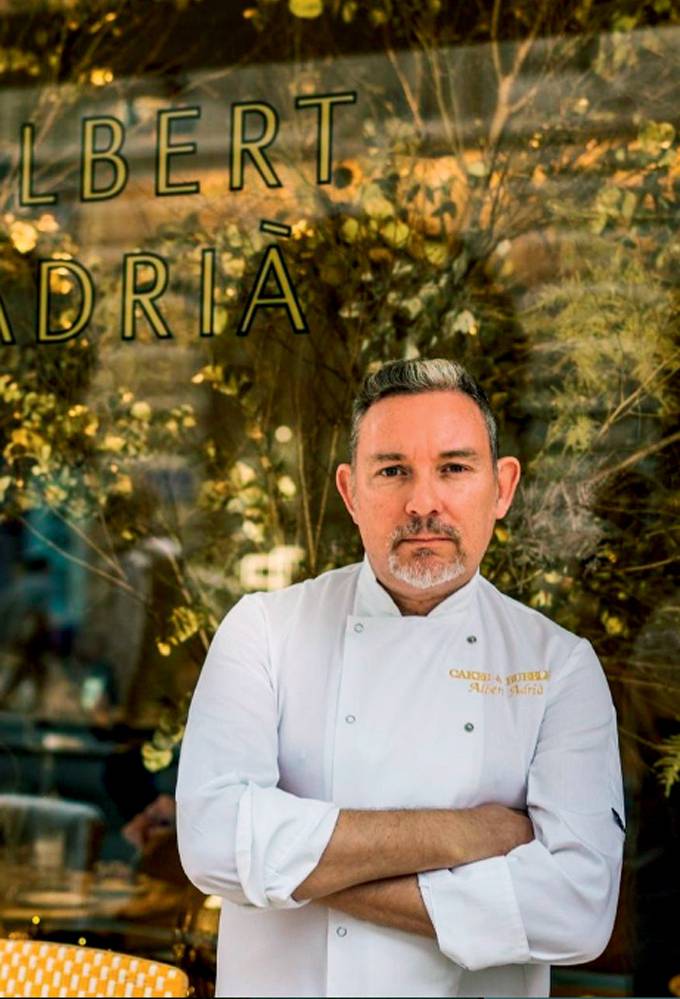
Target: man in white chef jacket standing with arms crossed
x=362, y=748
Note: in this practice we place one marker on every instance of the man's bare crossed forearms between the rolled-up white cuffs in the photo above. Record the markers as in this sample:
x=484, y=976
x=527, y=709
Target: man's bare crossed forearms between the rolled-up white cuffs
x=369, y=866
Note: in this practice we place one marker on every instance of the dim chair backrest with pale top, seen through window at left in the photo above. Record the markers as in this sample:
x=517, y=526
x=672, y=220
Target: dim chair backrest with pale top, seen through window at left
x=69, y=830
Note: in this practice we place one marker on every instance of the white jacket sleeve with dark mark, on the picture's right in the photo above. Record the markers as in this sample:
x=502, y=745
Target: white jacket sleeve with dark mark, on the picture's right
x=552, y=900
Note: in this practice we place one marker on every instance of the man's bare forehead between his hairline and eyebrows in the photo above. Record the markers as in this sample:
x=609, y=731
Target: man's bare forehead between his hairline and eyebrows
x=431, y=421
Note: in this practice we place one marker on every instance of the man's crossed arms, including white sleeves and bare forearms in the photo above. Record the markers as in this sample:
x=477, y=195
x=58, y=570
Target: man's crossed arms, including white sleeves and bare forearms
x=497, y=890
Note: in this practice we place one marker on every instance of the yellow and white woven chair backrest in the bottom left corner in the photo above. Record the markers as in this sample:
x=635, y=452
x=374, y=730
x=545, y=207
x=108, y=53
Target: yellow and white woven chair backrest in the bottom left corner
x=40, y=968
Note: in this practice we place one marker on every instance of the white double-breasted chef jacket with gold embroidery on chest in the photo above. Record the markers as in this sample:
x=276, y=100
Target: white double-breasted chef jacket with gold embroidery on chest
x=323, y=696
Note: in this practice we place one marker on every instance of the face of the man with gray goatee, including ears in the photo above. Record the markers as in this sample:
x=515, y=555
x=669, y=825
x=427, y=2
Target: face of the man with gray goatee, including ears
x=424, y=493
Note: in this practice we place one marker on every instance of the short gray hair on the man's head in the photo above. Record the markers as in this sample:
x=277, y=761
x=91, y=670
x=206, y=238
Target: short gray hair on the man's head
x=417, y=376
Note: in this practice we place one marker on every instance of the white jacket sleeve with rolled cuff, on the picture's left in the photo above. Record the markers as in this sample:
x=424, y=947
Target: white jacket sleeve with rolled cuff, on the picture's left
x=240, y=836
